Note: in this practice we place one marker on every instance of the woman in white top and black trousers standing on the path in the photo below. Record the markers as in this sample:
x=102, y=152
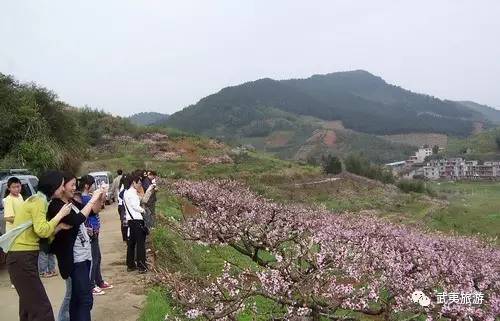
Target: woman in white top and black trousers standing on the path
x=136, y=243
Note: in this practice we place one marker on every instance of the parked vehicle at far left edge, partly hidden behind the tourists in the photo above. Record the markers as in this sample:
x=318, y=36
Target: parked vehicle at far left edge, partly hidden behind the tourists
x=29, y=184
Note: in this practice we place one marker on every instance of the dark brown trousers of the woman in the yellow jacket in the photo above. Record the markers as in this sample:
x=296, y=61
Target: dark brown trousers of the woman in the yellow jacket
x=34, y=304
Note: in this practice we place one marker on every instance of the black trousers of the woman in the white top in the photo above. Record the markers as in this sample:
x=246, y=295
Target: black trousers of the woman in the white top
x=136, y=244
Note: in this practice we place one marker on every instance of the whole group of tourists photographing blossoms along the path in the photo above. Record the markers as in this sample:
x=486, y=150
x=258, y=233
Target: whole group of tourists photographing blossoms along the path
x=61, y=223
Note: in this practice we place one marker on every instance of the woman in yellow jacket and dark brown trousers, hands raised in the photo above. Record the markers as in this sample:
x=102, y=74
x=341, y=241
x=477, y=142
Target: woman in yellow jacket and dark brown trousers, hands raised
x=22, y=258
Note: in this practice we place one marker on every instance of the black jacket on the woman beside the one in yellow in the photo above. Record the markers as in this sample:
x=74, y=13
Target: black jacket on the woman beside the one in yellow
x=62, y=245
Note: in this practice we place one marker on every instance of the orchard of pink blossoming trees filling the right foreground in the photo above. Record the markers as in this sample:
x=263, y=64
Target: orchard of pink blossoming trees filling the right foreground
x=319, y=264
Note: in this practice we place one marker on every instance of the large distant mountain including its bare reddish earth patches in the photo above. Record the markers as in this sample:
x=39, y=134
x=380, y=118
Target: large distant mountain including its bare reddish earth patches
x=289, y=117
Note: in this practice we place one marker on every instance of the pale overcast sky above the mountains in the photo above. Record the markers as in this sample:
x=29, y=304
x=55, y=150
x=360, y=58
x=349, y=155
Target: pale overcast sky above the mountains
x=132, y=56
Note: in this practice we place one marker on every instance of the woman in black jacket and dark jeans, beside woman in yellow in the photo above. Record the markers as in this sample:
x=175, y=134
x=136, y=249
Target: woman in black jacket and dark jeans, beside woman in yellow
x=73, y=251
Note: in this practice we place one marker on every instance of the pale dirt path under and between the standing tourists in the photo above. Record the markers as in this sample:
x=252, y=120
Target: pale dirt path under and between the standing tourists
x=122, y=303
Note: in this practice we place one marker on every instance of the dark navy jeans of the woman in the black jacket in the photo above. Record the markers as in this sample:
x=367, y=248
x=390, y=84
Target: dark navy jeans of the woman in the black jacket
x=81, y=292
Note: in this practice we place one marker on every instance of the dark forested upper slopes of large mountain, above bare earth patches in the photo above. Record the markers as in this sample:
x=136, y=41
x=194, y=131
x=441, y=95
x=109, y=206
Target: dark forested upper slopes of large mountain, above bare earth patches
x=362, y=101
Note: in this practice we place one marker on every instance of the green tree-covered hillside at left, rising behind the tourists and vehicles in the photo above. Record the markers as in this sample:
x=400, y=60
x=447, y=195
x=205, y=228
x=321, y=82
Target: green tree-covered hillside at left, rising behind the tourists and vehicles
x=38, y=131
